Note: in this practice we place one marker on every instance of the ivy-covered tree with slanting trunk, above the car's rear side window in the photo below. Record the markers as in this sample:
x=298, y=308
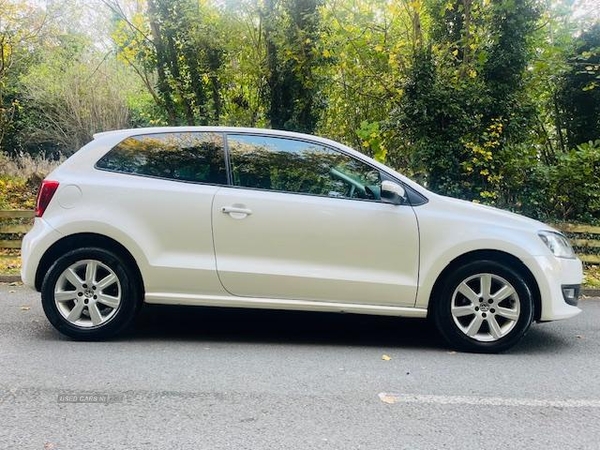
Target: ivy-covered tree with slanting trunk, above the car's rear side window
x=176, y=48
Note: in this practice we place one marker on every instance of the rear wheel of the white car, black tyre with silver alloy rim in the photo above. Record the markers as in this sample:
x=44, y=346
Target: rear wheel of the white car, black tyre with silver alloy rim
x=90, y=294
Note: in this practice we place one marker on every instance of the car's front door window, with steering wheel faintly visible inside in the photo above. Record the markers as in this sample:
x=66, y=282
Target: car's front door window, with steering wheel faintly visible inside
x=289, y=165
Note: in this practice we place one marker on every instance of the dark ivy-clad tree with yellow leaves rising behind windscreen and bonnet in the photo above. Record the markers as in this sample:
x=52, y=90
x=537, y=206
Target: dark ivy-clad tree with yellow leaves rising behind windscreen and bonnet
x=462, y=111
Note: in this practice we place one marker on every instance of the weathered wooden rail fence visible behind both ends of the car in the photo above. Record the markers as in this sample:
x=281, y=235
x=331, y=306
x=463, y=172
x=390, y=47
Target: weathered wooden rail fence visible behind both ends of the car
x=585, y=238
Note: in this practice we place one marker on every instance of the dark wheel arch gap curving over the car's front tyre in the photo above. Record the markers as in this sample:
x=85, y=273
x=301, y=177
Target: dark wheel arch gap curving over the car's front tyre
x=511, y=261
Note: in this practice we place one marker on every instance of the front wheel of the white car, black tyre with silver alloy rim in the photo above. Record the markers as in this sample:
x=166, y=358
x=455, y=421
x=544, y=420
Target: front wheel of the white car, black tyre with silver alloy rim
x=484, y=307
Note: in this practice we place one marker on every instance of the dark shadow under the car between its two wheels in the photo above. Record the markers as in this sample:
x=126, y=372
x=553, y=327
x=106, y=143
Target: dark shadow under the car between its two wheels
x=268, y=326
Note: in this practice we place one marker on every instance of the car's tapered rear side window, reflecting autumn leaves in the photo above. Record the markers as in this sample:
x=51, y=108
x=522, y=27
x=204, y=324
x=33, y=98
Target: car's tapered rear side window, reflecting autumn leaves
x=194, y=157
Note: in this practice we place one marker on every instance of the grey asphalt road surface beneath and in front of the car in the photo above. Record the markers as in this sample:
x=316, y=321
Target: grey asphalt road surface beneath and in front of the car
x=196, y=378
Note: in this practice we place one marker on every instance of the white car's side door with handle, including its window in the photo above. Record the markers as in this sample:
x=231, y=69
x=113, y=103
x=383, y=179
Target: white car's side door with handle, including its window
x=305, y=222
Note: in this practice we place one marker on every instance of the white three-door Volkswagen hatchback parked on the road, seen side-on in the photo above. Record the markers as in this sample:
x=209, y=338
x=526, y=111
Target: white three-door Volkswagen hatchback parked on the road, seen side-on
x=257, y=218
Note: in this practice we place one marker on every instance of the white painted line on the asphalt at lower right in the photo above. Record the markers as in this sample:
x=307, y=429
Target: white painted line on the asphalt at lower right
x=487, y=401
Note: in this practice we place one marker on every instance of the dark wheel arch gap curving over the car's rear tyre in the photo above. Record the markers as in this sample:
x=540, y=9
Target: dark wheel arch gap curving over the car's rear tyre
x=80, y=240
